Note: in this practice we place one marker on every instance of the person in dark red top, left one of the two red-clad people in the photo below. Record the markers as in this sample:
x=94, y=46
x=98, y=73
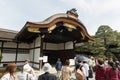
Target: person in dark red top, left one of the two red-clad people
x=100, y=70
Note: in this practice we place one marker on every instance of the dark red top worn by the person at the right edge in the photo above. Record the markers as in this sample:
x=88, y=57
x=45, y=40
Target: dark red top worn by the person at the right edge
x=112, y=74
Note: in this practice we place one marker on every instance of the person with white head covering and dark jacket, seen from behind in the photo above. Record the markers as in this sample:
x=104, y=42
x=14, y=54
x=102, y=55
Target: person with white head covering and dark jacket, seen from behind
x=47, y=75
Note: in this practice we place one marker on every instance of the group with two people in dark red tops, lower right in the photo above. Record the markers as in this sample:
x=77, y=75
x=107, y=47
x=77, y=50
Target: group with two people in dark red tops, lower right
x=108, y=70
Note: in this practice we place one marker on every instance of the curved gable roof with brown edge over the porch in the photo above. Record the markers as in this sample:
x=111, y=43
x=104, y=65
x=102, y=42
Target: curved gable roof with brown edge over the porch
x=68, y=18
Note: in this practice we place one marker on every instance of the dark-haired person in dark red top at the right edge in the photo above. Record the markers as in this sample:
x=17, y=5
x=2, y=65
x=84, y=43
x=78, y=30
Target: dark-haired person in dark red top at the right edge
x=112, y=73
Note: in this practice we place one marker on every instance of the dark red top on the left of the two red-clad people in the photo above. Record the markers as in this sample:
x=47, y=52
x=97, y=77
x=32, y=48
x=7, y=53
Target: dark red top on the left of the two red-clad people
x=99, y=72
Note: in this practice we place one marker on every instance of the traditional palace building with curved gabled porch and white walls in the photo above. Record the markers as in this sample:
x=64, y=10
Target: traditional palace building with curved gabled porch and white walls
x=55, y=37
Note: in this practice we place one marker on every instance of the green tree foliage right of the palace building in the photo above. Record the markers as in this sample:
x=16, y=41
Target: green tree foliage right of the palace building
x=106, y=42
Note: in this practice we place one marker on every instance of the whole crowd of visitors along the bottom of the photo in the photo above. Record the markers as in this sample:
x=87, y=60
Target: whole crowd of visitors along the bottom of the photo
x=84, y=69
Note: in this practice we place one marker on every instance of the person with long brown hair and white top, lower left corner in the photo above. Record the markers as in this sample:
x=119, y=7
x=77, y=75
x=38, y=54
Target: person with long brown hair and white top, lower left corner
x=9, y=72
